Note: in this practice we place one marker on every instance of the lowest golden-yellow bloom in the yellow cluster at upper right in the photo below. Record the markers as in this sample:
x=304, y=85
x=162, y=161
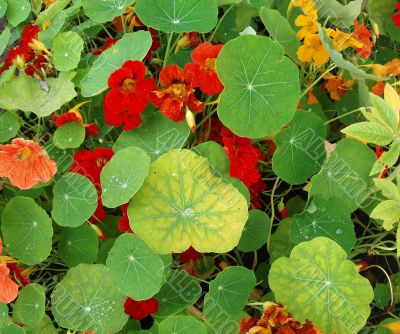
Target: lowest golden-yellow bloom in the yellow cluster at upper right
x=313, y=50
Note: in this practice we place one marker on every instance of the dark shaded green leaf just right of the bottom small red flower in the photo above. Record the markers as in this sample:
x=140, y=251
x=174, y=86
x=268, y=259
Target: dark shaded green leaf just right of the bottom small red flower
x=178, y=292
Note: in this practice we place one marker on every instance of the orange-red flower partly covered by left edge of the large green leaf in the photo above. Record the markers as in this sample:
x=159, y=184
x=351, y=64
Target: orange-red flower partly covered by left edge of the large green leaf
x=203, y=68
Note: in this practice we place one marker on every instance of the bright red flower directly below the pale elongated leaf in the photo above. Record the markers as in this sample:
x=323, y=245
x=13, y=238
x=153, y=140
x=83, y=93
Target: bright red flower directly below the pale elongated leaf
x=129, y=95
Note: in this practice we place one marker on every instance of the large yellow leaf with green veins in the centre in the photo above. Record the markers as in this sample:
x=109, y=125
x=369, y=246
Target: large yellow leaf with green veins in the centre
x=183, y=204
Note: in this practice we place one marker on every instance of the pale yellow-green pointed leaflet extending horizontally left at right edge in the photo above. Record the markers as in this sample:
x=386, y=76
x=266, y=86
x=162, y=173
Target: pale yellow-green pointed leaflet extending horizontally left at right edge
x=370, y=132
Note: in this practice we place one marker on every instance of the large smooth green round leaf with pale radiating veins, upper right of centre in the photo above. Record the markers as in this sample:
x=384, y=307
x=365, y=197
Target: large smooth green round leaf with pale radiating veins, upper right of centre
x=261, y=86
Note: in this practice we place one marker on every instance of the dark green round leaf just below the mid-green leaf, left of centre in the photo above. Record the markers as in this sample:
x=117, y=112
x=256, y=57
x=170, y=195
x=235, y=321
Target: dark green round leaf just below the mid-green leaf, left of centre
x=78, y=245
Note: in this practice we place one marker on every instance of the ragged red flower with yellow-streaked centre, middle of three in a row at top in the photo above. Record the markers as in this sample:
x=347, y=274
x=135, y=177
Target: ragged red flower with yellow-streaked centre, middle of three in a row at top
x=178, y=93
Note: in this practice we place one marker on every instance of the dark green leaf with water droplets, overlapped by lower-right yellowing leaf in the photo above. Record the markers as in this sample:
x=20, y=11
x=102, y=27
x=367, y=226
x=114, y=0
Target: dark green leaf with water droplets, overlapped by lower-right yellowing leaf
x=323, y=218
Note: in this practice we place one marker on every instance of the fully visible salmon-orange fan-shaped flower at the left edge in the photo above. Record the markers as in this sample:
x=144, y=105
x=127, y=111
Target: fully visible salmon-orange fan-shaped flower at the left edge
x=25, y=163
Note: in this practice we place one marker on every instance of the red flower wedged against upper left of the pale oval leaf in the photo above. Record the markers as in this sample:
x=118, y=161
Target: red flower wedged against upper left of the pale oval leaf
x=90, y=164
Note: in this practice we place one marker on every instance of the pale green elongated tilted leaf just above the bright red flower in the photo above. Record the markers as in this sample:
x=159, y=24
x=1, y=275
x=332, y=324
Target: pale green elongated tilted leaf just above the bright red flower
x=132, y=46
